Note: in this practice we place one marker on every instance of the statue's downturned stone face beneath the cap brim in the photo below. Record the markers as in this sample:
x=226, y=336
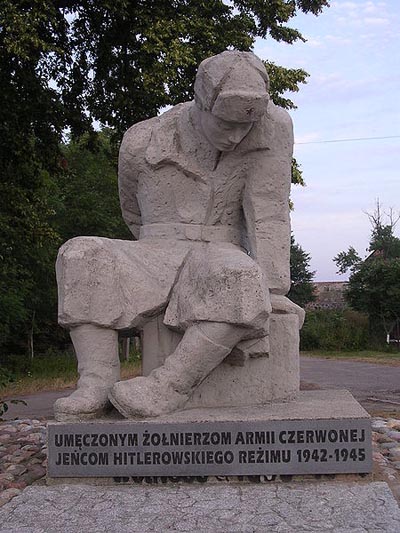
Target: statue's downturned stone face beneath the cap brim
x=223, y=134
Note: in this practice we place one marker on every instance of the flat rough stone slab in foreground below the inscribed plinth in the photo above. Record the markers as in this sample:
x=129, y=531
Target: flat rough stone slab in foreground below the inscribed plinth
x=329, y=506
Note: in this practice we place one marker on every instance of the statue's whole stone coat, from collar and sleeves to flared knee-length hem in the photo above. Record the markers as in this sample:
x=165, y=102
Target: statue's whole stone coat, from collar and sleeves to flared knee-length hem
x=194, y=212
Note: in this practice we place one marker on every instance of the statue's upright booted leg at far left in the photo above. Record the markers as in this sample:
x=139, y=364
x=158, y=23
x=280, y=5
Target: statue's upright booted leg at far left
x=99, y=368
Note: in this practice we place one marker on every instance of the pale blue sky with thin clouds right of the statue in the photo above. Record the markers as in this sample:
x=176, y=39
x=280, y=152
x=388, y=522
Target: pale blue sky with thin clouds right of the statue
x=352, y=54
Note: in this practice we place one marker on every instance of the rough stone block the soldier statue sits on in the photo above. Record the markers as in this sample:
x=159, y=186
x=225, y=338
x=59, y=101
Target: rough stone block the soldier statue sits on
x=256, y=381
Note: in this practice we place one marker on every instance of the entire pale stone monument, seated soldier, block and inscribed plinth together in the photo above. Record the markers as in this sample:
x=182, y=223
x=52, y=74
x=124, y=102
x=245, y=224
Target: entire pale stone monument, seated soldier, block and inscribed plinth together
x=204, y=189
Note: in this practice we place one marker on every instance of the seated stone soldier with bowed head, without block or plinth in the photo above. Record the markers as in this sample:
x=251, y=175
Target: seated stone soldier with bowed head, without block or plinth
x=204, y=189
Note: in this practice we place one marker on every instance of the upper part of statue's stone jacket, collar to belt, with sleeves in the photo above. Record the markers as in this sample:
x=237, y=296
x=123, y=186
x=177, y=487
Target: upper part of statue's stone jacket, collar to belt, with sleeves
x=168, y=180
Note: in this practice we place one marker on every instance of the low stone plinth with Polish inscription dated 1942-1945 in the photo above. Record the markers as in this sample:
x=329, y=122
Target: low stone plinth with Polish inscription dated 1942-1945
x=315, y=410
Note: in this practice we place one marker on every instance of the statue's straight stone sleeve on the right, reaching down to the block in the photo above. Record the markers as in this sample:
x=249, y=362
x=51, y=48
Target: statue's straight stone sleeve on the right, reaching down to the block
x=266, y=203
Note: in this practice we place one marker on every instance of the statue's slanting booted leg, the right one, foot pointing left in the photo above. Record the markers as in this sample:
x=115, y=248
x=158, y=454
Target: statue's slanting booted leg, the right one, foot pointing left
x=167, y=388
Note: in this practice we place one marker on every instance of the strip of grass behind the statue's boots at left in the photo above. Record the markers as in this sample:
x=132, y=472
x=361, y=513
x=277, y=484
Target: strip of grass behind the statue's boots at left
x=54, y=372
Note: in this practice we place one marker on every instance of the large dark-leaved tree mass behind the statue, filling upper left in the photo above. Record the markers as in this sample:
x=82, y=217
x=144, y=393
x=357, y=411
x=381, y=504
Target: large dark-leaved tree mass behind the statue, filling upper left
x=65, y=64
